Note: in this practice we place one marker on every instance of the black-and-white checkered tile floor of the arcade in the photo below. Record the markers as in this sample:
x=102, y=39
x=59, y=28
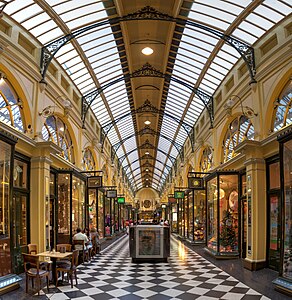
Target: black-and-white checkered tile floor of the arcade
x=187, y=275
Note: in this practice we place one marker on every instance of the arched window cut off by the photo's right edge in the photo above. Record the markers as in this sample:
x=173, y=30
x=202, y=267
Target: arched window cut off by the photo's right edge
x=283, y=108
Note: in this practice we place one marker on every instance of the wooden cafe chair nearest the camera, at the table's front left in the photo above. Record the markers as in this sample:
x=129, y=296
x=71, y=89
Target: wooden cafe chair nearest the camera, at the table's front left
x=32, y=270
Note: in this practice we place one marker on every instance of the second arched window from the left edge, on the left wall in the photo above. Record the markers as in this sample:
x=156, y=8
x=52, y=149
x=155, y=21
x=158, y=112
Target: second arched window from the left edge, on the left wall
x=55, y=130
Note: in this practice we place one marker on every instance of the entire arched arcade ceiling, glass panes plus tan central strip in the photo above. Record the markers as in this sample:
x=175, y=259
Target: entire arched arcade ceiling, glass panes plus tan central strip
x=185, y=52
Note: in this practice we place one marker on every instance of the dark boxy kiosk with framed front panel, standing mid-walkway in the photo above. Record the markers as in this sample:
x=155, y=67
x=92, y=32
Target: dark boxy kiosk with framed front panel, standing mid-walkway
x=149, y=243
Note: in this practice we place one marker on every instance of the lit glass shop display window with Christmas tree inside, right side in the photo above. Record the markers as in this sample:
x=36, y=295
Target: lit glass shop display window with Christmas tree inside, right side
x=223, y=214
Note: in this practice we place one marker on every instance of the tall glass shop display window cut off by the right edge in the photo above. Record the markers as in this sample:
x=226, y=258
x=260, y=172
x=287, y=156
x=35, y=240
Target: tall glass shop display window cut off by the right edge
x=284, y=282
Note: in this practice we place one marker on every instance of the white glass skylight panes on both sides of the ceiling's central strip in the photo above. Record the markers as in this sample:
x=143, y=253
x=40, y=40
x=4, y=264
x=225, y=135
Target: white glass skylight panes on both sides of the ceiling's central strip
x=195, y=57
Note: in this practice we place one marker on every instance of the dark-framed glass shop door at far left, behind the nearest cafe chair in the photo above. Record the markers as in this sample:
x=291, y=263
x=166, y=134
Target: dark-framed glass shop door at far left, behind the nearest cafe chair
x=19, y=229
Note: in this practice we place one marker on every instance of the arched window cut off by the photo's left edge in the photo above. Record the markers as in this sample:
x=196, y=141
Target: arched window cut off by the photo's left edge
x=11, y=111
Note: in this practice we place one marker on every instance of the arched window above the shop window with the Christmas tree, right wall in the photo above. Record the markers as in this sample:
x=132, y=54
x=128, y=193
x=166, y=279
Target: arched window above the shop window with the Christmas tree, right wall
x=239, y=130
